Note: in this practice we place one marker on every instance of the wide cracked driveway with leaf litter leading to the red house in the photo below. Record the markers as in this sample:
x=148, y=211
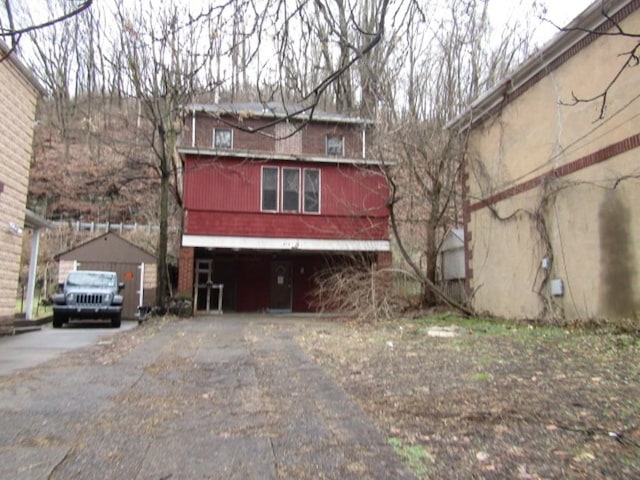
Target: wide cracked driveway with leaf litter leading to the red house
x=227, y=397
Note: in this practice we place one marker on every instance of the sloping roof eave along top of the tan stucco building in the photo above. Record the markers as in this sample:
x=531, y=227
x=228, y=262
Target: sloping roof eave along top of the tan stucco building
x=564, y=44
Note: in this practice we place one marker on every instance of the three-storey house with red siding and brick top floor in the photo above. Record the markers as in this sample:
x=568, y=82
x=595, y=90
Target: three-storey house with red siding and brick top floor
x=270, y=199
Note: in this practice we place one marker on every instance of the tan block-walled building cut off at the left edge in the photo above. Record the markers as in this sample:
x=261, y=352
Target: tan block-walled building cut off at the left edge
x=19, y=93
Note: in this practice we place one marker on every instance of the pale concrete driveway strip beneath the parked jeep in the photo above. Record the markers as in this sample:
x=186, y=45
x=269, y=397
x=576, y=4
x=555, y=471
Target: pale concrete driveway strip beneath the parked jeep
x=30, y=349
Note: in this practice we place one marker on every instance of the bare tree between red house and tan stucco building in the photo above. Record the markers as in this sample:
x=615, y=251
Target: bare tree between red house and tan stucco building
x=444, y=71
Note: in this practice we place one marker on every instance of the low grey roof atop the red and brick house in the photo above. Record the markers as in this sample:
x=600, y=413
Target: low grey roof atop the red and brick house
x=274, y=110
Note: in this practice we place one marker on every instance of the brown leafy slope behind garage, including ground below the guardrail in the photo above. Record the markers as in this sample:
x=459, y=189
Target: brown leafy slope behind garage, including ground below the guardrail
x=93, y=162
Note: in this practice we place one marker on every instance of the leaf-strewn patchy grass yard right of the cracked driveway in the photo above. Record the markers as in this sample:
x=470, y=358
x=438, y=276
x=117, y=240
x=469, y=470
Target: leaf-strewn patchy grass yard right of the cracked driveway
x=537, y=397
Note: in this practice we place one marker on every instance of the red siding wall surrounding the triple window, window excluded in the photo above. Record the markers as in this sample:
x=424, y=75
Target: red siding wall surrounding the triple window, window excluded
x=223, y=198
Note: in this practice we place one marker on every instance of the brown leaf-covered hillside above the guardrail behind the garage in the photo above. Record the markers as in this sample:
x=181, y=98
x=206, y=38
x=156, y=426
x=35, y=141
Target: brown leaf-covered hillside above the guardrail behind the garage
x=92, y=163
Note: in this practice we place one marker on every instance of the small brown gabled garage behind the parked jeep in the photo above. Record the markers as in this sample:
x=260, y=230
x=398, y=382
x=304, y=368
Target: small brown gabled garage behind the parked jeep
x=135, y=268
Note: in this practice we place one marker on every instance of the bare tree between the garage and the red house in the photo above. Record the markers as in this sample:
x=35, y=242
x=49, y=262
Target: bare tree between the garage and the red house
x=162, y=69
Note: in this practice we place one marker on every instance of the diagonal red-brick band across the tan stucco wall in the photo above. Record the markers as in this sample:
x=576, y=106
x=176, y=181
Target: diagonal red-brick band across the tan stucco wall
x=594, y=158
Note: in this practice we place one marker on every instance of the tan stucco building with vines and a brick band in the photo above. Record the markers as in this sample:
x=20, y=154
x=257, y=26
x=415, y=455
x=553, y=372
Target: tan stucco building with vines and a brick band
x=552, y=180
